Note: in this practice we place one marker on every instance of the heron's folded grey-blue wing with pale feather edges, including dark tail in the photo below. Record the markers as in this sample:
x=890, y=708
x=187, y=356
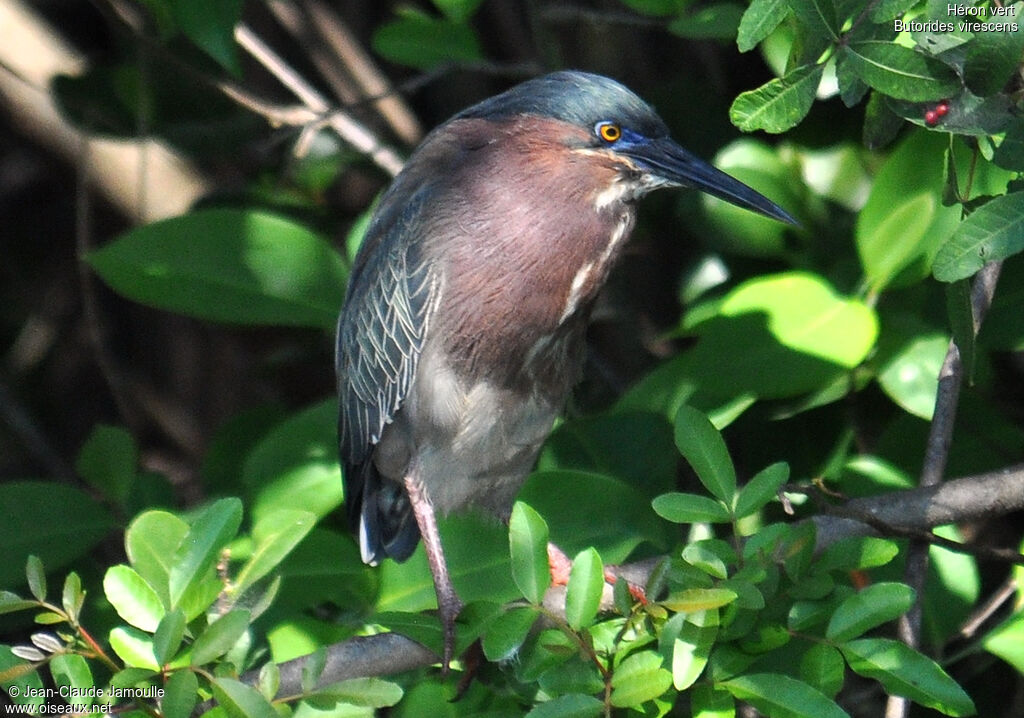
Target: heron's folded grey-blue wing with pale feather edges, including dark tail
x=381, y=332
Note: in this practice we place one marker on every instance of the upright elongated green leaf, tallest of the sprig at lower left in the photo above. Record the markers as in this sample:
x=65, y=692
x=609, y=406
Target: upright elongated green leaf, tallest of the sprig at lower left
x=201, y=548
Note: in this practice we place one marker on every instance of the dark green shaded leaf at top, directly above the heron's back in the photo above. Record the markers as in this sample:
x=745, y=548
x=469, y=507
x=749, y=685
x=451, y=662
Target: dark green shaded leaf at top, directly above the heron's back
x=420, y=41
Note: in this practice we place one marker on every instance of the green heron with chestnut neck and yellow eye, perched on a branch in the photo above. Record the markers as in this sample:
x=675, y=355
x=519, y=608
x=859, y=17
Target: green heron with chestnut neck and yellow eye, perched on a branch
x=463, y=328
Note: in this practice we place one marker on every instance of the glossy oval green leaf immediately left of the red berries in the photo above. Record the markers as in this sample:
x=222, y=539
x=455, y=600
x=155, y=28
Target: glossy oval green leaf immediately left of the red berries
x=901, y=72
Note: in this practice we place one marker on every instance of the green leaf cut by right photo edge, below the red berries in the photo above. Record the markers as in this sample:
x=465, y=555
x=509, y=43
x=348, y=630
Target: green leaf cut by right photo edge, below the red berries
x=993, y=233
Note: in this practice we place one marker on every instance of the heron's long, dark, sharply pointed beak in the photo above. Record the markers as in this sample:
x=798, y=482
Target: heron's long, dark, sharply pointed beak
x=670, y=163
